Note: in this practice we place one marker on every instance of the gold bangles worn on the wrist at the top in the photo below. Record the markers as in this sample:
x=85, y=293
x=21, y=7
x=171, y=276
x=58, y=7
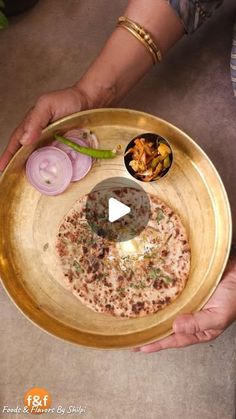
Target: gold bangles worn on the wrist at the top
x=142, y=35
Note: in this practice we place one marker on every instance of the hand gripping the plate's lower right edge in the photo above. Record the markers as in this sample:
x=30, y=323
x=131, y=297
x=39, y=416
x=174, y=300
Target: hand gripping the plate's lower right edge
x=207, y=324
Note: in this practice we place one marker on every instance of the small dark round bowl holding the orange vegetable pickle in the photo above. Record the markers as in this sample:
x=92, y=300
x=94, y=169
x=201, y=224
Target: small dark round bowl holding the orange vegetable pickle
x=151, y=137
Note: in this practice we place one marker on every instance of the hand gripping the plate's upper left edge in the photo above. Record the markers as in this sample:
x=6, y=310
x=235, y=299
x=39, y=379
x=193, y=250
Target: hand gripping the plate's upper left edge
x=49, y=107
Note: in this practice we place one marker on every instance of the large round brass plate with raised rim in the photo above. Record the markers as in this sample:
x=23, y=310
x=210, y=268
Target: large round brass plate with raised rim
x=29, y=222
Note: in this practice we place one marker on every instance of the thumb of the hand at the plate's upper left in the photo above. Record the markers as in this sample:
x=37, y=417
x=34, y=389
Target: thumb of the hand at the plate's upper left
x=36, y=119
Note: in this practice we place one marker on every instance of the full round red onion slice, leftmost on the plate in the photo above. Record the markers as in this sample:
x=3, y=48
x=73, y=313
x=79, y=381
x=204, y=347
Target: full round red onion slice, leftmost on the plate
x=49, y=170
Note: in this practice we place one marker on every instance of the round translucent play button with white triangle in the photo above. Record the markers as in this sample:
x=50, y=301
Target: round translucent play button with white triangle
x=117, y=209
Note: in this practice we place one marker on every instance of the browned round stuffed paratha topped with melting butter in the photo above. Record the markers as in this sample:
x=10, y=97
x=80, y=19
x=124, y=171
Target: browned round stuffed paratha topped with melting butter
x=126, y=279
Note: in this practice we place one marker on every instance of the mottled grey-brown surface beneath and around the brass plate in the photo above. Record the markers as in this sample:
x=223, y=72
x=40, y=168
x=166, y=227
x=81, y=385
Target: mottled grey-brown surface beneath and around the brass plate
x=47, y=48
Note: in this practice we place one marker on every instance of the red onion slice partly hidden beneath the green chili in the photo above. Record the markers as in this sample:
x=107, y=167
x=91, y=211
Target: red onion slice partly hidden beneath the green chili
x=81, y=163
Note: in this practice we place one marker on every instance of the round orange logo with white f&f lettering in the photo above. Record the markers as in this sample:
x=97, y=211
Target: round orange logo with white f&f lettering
x=37, y=400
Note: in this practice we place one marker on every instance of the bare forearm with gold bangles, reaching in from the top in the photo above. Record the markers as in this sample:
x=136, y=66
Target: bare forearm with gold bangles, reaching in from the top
x=124, y=60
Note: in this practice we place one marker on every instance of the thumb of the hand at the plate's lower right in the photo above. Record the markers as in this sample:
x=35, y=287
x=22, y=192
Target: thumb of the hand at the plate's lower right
x=197, y=322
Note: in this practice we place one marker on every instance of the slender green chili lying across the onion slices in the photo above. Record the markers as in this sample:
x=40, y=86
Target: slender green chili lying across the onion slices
x=92, y=152
